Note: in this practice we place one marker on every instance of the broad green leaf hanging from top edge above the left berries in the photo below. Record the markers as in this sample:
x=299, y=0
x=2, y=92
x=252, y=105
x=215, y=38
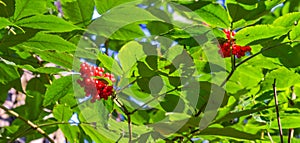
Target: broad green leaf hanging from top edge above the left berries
x=79, y=12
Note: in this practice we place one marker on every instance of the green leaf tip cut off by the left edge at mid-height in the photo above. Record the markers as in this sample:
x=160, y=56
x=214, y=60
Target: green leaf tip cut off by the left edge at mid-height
x=7, y=73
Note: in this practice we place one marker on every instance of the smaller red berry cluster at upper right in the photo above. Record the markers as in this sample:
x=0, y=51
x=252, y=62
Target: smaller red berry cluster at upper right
x=237, y=50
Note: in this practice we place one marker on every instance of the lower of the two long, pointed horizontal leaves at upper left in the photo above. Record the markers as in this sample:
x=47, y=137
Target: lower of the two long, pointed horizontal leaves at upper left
x=44, y=41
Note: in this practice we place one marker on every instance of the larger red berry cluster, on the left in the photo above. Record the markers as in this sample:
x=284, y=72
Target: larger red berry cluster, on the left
x=93, y=82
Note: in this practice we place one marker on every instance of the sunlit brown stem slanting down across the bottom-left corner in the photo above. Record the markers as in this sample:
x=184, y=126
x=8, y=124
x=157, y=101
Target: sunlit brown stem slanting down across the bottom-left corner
x=32, y=125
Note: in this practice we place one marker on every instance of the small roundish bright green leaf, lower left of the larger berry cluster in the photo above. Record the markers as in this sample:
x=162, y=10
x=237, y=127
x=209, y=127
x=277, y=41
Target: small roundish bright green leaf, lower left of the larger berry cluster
x=62, y=112
